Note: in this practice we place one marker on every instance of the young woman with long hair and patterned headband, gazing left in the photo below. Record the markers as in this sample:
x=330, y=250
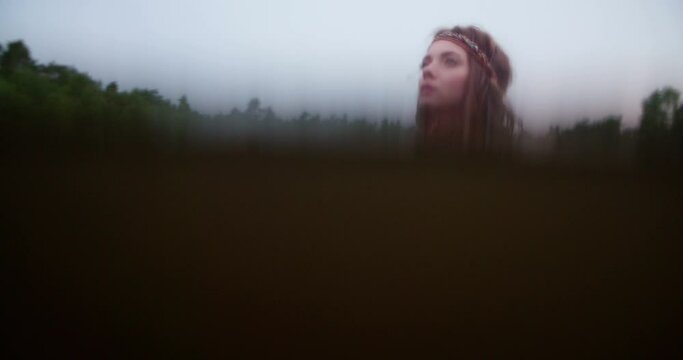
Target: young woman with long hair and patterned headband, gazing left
x=461, y=104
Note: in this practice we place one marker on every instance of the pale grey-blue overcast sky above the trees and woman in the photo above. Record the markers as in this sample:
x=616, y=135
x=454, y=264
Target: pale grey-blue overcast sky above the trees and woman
x=571, y=59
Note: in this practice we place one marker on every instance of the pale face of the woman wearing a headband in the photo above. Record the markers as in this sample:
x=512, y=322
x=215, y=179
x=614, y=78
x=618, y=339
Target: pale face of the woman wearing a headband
x=444, y=75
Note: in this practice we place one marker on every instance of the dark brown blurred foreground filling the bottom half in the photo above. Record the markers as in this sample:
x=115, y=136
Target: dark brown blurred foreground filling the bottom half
x=280, y=257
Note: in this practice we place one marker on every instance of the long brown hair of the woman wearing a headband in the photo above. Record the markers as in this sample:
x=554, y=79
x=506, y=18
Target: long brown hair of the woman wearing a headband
x=484, y=123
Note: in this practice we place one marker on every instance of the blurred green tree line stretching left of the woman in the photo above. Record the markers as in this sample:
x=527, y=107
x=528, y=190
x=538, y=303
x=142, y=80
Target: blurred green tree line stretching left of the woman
x=56, y=107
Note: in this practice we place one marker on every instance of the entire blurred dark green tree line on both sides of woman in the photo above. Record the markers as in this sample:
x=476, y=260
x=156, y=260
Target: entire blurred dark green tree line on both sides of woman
x=56, y=108
